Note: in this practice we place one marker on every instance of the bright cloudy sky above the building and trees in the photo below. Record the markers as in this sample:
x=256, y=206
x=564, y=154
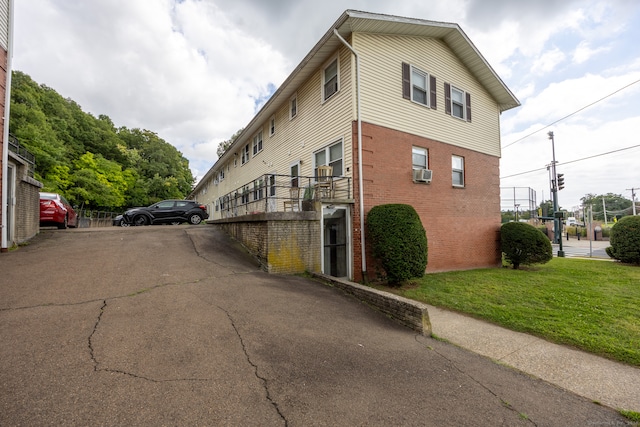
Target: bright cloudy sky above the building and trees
x=195, y=71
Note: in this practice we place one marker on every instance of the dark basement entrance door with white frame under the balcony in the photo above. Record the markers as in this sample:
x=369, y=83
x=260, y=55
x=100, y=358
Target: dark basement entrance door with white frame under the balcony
x=336, y=238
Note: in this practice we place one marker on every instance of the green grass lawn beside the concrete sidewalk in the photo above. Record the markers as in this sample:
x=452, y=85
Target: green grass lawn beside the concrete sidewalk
x=592, y=305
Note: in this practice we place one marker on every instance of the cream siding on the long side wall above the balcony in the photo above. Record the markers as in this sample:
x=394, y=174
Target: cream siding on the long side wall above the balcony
x=316, y=125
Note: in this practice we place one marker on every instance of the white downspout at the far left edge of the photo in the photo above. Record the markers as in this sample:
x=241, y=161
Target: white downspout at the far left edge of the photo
x=5, y=134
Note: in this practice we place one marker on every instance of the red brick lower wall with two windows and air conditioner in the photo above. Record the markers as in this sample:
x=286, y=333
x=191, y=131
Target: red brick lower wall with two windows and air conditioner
x=462, y=224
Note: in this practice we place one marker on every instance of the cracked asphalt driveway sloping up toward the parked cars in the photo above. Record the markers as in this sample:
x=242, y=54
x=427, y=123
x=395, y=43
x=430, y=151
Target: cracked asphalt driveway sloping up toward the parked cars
x=176, y=325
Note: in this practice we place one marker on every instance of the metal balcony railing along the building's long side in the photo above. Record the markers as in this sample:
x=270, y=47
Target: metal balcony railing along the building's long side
x=272, y=193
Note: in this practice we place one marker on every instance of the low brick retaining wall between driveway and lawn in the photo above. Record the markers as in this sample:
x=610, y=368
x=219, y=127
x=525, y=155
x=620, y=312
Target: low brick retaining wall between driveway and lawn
x=412, y=314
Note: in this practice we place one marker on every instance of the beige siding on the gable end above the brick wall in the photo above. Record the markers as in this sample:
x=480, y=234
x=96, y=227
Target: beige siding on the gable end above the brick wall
x=381, y=58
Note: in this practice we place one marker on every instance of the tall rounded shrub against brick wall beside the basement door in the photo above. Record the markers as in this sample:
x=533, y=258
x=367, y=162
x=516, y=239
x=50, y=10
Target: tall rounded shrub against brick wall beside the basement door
x=398, y=240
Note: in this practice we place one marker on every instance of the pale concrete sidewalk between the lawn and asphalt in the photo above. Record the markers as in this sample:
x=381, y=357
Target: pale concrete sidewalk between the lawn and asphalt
x=595, y=378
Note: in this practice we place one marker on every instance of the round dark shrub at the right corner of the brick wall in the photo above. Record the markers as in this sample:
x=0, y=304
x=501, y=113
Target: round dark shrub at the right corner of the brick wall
x=523, y=244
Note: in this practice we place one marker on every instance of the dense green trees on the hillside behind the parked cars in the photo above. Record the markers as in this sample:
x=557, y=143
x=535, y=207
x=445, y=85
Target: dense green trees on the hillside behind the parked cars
x=89, y=160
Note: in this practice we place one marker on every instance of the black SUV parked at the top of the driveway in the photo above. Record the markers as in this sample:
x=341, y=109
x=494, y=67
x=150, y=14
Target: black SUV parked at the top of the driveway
x=166, y=212
